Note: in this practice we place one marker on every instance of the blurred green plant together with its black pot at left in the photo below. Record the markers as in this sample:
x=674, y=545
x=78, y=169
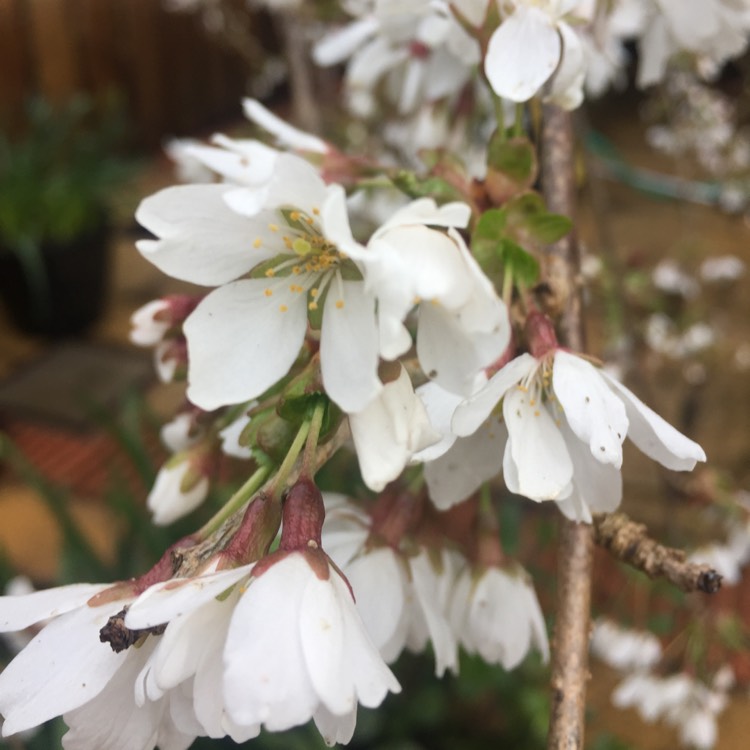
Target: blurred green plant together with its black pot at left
x=55, y=187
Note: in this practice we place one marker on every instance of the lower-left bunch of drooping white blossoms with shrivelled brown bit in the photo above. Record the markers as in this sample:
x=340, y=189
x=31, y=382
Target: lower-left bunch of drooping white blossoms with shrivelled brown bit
x=270, y=643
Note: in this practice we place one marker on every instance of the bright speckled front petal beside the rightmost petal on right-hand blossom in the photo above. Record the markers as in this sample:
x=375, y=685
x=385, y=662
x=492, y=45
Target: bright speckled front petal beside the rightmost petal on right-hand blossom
x=593, y=412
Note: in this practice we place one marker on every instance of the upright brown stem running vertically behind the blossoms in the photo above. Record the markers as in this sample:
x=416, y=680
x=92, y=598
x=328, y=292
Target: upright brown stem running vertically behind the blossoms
x=562, y=297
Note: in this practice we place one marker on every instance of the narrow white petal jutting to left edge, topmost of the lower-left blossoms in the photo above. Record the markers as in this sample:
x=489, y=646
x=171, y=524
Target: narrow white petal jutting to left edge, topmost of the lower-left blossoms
x=18, y=612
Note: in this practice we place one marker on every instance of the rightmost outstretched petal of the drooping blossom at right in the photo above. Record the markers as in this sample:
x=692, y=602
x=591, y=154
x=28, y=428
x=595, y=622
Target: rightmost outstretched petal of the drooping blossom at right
x=656, y=437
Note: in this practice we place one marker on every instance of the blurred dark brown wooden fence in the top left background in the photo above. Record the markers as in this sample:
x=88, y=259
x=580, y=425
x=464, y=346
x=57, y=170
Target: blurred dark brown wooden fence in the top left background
x=175, y=79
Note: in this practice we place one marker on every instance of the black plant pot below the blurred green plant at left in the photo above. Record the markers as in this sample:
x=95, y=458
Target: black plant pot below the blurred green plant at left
x=73, y=288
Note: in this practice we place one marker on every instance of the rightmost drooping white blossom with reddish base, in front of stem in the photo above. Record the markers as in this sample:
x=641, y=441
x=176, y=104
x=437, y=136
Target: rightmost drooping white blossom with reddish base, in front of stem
x=565, y=421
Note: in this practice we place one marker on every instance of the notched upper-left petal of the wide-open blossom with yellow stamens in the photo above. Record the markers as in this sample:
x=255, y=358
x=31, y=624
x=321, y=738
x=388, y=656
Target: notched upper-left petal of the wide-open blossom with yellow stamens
x=200, y=239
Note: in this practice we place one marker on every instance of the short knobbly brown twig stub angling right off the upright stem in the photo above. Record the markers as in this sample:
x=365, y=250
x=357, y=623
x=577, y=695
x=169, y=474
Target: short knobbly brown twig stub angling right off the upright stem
x=629, y=542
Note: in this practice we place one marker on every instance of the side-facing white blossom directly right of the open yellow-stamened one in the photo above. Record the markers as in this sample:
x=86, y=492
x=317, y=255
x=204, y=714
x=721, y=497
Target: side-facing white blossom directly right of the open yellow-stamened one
x=463, y=325
